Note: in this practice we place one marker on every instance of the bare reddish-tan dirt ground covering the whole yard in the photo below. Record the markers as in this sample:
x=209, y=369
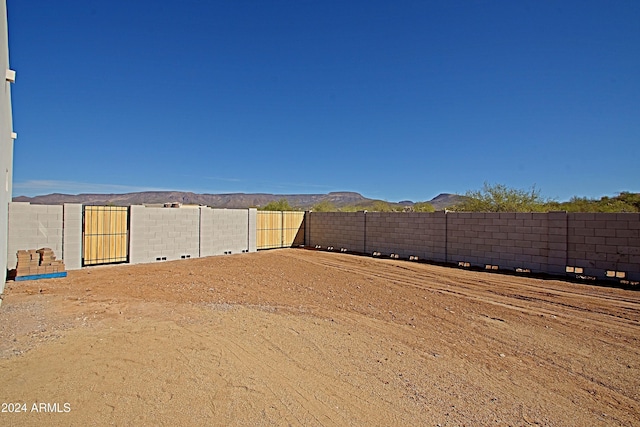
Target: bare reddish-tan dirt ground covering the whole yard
x=299, y=337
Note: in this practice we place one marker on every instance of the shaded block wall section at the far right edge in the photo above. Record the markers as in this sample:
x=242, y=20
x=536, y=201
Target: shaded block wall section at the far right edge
x=608, y=241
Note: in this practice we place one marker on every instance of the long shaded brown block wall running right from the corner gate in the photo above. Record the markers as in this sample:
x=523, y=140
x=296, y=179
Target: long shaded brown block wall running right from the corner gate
x=540, y=242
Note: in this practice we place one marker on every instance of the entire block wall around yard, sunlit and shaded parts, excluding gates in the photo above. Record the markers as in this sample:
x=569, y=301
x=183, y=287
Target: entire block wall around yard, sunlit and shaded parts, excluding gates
x=540, y=242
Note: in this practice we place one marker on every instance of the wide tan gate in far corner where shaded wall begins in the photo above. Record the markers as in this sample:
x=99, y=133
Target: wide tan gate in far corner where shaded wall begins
x=279, y=229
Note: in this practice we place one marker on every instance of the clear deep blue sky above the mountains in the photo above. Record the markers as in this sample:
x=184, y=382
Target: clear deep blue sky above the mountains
x=396, y=100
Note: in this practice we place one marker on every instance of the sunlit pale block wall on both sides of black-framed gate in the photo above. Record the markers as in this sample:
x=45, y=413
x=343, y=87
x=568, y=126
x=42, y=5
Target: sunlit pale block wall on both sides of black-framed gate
x=155, y=234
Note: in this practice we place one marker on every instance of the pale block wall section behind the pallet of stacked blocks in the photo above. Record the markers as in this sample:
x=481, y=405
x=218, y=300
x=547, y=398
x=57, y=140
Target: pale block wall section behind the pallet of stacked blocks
x=34, y=227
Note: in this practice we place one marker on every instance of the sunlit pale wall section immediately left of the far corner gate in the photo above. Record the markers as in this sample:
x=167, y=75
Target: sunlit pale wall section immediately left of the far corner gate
x=227, y=231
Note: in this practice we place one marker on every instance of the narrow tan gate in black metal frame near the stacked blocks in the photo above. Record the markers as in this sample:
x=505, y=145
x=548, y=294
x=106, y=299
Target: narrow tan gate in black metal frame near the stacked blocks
x=105, y=235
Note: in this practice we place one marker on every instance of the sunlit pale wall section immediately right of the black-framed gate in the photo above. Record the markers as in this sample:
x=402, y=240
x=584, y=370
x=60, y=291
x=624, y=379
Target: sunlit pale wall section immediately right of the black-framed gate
x=163, y=234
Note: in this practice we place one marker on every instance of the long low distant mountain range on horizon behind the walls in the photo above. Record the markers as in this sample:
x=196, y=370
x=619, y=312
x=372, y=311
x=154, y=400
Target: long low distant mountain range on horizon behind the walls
x=231, y=200
